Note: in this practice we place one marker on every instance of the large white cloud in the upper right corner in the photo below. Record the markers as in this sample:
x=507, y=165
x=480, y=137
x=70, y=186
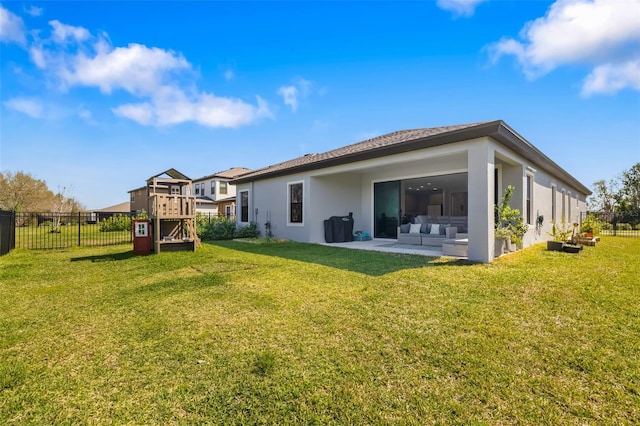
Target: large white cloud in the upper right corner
x=603, y=34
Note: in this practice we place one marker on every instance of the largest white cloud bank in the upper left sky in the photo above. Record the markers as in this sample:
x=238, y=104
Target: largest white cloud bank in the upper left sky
x=160, y=80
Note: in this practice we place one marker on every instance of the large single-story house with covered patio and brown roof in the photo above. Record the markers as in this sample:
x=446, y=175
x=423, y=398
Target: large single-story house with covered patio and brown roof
x=459, y=170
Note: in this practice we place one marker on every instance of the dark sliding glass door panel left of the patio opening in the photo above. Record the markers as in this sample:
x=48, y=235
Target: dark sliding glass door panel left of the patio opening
x=386, y=209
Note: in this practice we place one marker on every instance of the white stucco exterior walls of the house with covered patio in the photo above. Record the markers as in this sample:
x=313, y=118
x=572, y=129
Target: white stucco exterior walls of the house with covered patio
x=338, y=190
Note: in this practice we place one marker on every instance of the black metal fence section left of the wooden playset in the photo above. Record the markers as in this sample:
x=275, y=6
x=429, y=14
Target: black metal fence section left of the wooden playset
x=44, y=230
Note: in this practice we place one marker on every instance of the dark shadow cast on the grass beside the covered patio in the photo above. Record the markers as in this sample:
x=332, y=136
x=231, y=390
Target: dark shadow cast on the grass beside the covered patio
x=367, y=262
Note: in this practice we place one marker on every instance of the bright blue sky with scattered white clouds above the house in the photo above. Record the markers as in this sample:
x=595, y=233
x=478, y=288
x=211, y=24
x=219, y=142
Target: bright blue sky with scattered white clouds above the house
x=95, y=97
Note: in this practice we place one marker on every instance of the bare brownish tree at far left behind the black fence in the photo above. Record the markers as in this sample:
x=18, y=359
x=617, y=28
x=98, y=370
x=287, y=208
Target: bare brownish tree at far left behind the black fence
x=21, y=192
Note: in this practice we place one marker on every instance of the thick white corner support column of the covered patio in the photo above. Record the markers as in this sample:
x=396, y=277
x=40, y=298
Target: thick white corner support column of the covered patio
x=480, y=161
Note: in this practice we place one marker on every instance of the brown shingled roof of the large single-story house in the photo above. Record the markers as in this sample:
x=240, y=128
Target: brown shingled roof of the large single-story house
x=412, y=140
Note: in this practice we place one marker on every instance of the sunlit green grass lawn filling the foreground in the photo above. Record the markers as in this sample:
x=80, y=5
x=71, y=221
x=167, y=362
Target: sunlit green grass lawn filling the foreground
x=288, y=333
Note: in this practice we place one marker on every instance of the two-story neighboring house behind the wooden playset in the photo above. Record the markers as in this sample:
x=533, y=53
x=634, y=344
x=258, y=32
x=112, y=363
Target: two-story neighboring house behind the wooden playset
x=214, y=193
